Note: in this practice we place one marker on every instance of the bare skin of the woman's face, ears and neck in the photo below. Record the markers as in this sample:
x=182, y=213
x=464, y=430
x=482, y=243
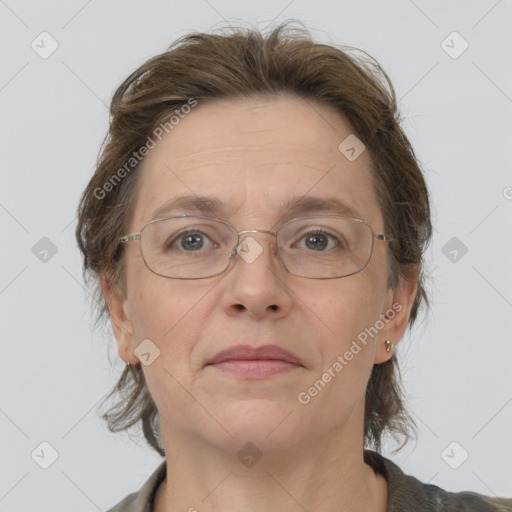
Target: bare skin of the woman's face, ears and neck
x=254, y=154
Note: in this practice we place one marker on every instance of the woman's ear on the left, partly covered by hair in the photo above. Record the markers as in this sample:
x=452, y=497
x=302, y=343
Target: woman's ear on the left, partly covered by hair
x=122, y=324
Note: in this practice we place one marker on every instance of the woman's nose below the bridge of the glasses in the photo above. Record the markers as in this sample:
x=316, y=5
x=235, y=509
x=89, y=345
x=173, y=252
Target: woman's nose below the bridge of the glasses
x=256, y=281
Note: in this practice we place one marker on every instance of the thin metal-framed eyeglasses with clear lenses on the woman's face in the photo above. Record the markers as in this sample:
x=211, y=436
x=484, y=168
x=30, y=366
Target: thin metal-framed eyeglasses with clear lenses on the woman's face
x=317, y=247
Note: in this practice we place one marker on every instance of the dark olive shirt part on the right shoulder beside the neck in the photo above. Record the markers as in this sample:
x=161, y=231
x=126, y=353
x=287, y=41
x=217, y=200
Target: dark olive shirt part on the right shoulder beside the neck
x=408, y=493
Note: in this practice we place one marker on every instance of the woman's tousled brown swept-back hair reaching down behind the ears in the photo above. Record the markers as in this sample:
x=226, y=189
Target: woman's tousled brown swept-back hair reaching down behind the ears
x=243, y=62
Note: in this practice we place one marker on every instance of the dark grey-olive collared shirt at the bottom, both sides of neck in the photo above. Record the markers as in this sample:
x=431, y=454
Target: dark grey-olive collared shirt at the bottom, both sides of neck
x=405, y=493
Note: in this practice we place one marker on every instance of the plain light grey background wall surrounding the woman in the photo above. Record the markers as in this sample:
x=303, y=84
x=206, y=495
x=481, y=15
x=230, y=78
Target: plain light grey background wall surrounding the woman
x=55, y=369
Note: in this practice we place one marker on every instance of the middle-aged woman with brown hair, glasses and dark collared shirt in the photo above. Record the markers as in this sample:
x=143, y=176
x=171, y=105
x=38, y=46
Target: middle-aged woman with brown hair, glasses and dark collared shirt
x=255, y=228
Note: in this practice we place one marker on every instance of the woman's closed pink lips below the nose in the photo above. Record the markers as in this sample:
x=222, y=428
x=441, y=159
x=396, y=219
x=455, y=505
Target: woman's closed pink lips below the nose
x=250, y=362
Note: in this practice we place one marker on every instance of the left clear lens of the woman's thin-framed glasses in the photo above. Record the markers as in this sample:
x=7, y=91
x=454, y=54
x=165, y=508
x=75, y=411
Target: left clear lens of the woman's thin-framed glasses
x=187, y=247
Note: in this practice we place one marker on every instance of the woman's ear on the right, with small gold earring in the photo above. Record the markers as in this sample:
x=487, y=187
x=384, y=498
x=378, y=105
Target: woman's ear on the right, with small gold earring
x=396, y=314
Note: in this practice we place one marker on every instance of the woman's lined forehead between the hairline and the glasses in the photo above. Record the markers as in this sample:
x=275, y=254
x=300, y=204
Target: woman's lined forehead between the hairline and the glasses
x=255, y=156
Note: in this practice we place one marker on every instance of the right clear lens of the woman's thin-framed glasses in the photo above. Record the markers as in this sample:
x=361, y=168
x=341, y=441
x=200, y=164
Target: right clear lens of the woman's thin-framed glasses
x=325, y=247
